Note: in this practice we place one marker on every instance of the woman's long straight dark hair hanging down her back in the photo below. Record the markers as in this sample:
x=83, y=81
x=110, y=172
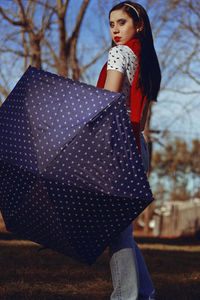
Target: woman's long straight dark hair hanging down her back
x=150, y=74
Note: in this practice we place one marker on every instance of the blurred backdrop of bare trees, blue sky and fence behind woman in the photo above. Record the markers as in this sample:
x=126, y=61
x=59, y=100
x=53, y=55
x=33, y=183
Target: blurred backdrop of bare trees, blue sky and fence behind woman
x=71, y=38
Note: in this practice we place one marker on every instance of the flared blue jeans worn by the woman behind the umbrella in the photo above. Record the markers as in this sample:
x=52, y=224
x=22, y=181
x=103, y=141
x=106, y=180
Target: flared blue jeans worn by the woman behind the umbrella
x=130, y=276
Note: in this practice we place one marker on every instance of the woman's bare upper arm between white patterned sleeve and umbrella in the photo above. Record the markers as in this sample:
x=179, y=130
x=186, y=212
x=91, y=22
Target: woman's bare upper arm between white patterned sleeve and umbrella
x=114, y=81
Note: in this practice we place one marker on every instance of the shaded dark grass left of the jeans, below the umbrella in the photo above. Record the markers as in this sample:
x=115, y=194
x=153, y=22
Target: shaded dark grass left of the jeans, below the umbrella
x=29, y=274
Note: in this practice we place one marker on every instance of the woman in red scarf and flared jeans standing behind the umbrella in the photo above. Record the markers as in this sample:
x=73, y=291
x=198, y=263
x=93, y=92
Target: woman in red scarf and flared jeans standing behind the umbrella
x=133, y=70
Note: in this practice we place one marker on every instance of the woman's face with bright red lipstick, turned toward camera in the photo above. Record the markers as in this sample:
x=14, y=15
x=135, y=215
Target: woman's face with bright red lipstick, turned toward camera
x=122, y=27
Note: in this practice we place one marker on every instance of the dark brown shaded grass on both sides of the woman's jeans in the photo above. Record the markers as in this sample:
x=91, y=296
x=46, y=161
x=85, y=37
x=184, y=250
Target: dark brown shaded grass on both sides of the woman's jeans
x=29, y=274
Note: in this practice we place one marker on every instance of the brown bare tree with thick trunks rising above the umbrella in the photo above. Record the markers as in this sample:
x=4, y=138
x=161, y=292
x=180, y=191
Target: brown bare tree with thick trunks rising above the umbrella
x=34, y=36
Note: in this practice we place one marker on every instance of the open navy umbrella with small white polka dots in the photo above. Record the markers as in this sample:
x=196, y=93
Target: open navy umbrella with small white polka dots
x=71, y=177
